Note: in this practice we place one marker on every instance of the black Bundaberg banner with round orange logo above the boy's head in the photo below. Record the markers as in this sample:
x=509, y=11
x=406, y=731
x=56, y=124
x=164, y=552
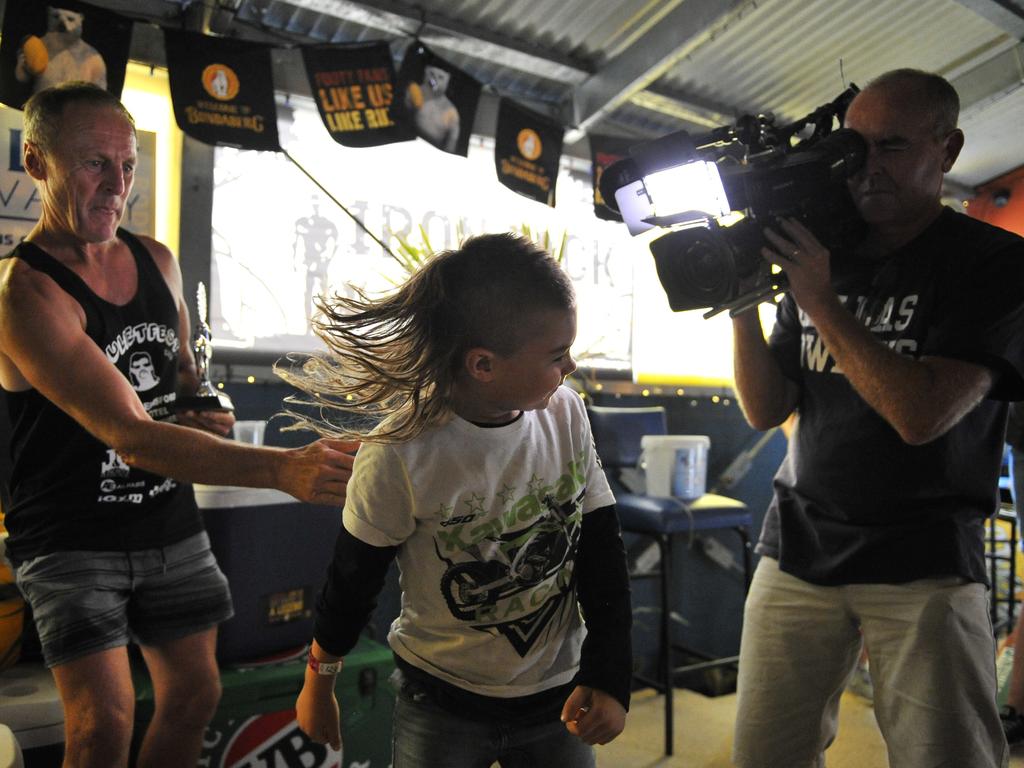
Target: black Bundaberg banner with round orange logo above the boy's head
x=528, y=149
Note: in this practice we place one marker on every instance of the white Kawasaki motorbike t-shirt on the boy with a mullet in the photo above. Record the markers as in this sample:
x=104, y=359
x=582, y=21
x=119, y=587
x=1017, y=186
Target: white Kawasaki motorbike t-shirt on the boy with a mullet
x=488, y=522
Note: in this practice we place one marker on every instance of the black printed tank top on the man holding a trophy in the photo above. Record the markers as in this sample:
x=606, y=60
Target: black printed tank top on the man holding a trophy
x=70, y=492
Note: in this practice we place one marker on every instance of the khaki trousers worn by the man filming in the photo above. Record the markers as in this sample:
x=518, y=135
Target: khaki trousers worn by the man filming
x=932, y=660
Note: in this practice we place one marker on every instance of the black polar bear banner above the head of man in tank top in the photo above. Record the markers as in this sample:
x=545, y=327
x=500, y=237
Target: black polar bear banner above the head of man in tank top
x=46, y=45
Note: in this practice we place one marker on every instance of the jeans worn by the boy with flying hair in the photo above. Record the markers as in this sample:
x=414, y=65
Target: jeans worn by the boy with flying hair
x=426, y=736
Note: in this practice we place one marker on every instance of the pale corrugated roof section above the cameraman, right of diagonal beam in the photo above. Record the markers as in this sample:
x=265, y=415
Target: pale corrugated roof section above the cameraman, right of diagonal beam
x=789, y=57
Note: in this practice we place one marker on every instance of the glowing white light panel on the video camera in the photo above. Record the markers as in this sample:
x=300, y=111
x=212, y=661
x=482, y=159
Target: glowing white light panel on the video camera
x=688, y=193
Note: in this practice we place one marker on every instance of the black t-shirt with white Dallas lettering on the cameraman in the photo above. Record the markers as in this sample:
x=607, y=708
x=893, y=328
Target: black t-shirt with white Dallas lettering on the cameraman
x=854, y=502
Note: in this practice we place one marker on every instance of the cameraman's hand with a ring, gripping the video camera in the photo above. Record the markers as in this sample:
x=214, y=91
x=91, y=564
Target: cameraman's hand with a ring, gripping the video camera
x=805, y=262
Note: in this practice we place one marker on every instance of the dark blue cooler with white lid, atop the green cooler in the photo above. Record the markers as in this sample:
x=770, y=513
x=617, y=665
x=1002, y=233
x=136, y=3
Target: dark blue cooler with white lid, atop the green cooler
x=275, y=551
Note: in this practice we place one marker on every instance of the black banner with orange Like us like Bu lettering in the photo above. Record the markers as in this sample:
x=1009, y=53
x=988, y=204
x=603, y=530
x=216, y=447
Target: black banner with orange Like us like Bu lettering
x=355, y=89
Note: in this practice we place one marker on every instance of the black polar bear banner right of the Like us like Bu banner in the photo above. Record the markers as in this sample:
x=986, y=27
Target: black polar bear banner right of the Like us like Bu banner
x=440, y=100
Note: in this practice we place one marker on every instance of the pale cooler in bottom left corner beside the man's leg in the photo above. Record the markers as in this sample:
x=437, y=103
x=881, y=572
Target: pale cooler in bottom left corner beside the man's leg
x=31, y=707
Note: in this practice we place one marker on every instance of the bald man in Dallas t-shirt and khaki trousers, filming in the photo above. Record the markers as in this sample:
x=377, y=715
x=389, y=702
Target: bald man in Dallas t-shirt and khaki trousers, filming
x=900, y=380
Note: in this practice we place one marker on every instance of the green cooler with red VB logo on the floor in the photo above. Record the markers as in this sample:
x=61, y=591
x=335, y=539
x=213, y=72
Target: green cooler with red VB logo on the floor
x=255, y=722
